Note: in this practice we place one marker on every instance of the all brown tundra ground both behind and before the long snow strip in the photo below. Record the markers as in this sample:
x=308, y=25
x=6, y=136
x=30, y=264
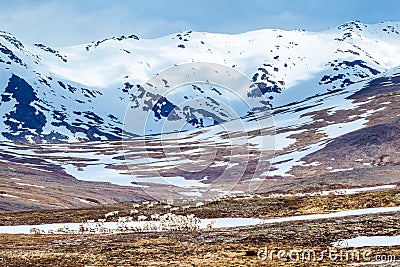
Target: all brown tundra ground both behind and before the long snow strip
x=218, y=247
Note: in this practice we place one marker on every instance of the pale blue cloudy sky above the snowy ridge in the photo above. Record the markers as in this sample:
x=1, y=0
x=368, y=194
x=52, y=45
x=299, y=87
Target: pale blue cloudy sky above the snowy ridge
x=69, y=22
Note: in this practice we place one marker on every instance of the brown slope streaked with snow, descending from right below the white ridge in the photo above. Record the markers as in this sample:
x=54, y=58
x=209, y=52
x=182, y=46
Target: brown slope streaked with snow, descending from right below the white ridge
x=340, y=139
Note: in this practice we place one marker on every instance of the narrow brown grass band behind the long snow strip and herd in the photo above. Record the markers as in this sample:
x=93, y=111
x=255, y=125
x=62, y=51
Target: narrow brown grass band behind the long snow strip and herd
x=246, y=208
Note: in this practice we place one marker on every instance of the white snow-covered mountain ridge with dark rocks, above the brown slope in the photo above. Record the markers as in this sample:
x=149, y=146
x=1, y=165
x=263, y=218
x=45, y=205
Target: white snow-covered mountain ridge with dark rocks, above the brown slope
x=83, y=92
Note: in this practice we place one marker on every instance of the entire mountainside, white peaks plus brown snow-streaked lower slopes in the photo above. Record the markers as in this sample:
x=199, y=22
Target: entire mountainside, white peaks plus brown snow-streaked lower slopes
x=325, y=115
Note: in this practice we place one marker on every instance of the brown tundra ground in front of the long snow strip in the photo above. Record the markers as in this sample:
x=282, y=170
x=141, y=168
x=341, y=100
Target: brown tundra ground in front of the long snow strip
x=233, y=247
